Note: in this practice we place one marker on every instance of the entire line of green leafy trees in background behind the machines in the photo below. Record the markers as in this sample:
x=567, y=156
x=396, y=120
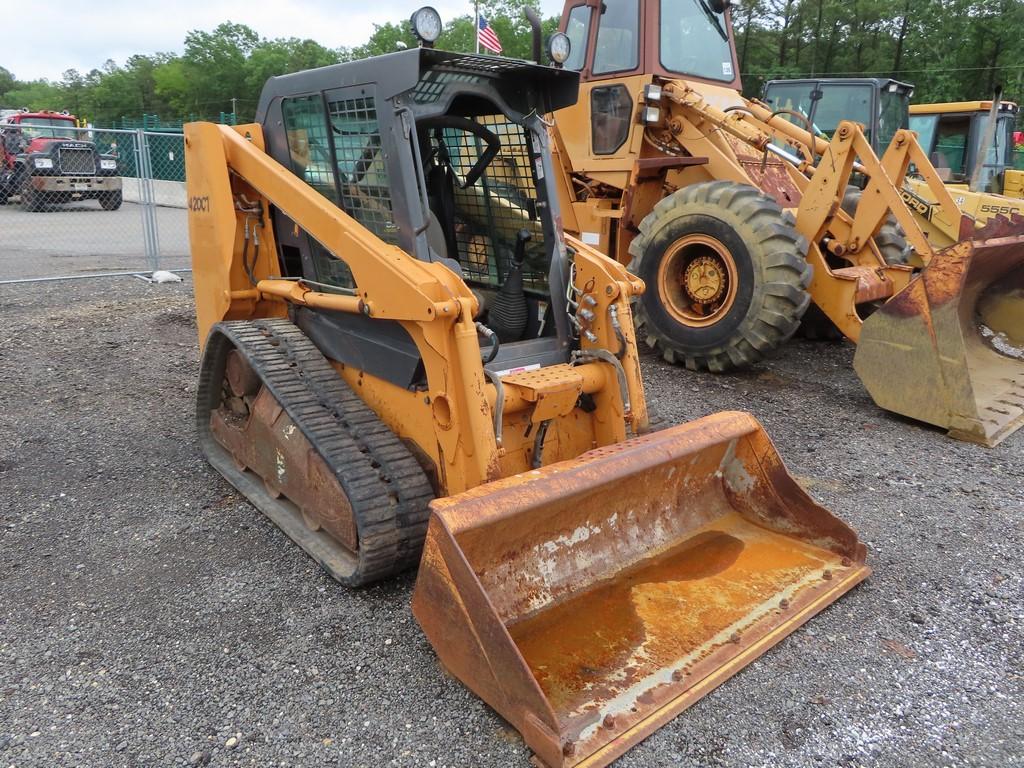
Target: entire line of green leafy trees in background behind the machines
x=950, y=50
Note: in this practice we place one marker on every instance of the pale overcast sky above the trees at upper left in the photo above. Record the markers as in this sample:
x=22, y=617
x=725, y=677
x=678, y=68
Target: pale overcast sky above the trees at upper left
x=82, y=36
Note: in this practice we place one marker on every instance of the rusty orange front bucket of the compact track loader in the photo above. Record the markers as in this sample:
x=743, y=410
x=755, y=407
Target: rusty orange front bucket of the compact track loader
x=591, y=602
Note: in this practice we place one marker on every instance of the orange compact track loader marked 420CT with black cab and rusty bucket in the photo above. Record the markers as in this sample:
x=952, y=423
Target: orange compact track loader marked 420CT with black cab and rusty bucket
x=404, y=355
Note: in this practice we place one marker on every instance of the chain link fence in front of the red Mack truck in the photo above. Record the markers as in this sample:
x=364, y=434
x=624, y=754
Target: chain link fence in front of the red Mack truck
x=77, y=202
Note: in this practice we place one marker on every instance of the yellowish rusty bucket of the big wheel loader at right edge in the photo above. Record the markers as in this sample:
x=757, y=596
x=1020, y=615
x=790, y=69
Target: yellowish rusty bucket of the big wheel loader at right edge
x=949, y=350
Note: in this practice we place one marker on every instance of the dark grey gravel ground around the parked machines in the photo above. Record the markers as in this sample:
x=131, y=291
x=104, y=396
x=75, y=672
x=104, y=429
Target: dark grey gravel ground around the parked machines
x=152, y=618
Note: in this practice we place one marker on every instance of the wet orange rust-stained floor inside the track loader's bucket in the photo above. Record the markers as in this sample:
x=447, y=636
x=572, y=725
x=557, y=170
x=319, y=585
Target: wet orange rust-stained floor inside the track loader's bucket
x=672, y=610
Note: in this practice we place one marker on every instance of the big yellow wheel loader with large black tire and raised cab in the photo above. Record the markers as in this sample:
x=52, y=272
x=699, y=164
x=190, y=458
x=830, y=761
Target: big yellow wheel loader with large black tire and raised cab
x=733, y=214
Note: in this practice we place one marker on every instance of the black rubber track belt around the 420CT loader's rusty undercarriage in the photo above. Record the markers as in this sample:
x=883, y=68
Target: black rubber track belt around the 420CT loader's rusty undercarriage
x=385, y=483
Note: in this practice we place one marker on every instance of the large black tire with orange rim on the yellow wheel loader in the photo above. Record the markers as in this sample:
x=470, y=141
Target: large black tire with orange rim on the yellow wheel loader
x=727, y=275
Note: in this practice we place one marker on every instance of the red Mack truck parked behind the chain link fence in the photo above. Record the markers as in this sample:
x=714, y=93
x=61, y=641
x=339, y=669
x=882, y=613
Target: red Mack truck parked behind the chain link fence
x=47, y=164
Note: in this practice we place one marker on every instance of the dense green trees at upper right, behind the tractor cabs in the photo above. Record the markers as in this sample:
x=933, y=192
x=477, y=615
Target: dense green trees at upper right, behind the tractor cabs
x=950, y=50
